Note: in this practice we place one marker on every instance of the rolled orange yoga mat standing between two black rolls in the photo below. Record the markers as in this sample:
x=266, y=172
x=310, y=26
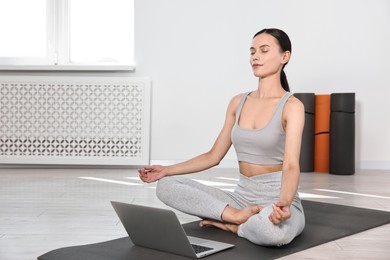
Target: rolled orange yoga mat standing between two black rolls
x=321, y=133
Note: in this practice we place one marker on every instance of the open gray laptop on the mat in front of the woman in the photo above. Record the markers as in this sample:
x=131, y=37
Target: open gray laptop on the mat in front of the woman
x=160, y=229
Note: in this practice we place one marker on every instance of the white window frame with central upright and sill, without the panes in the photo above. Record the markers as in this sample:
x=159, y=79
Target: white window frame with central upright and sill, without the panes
x=58, y=45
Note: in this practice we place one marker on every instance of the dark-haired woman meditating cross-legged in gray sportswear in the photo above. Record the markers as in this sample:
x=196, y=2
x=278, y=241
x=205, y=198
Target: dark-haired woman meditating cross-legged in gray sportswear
x=265, y=127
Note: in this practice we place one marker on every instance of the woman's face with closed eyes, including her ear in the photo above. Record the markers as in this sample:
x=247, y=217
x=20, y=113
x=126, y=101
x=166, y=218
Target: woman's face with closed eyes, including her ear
x=266, y=56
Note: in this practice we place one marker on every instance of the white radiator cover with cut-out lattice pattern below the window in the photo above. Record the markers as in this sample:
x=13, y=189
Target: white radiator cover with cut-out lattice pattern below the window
x=75, y=121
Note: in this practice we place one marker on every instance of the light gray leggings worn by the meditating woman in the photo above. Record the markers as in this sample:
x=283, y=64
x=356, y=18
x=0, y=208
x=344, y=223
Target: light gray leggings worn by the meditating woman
x=196, y=199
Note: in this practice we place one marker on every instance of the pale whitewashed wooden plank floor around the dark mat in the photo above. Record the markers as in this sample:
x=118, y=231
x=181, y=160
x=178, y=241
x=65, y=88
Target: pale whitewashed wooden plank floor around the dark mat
x=46, y=209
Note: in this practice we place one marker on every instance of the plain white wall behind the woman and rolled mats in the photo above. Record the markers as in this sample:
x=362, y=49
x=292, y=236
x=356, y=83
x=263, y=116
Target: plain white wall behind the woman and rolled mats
x=197, y=54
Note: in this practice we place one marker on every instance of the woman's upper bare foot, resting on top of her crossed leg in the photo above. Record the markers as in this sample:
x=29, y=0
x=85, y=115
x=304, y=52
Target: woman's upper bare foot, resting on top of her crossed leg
x=239, y=216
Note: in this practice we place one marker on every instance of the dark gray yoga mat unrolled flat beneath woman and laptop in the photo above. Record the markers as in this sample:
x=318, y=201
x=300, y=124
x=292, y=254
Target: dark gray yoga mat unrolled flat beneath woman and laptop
x=324, y=223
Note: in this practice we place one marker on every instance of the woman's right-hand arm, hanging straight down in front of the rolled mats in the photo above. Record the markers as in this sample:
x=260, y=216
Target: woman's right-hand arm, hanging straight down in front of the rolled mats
x=294, y=120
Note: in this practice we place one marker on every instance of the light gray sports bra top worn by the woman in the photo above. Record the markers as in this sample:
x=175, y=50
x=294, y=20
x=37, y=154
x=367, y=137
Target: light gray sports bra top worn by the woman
x=262, y=145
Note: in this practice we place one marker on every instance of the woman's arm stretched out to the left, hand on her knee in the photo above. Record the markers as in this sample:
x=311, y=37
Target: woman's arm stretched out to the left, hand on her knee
x=203, y=161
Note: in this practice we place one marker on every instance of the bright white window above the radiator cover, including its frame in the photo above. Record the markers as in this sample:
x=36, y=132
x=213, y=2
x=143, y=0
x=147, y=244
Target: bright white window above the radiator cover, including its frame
x=67, y=34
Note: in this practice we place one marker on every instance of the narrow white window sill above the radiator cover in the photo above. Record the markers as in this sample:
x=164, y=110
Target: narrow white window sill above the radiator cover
x=103, y=67
